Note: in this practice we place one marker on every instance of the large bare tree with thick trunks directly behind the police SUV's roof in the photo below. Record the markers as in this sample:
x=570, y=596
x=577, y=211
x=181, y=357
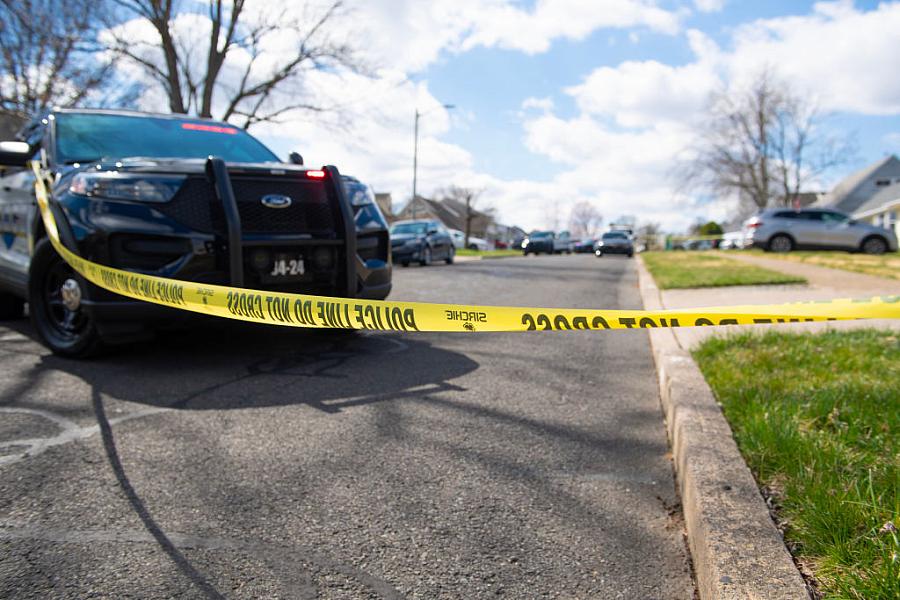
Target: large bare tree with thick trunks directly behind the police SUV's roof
x=241, y=71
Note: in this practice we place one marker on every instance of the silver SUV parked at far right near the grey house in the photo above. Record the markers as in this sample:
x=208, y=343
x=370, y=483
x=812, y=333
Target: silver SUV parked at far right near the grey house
x=783, y=230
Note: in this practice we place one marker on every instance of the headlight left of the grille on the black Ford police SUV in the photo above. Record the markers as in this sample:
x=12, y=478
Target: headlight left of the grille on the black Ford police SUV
x=116, y=186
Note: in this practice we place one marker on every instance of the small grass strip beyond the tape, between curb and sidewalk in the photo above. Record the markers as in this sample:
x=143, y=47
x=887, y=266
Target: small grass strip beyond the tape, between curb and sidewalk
x=708, y=269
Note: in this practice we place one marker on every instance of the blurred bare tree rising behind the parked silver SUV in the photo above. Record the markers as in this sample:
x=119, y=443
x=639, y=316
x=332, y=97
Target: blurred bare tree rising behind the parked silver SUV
x=764, y=144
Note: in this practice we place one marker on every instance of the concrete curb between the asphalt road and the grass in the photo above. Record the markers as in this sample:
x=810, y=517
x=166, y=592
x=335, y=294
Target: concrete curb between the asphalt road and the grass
x=738, y=552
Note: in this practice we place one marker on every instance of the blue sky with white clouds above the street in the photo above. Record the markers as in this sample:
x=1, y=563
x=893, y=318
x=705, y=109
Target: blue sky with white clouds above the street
x=566, y=101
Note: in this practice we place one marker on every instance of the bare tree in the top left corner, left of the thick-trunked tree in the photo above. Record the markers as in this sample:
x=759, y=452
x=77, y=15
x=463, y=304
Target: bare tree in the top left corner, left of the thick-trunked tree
x=49, y=56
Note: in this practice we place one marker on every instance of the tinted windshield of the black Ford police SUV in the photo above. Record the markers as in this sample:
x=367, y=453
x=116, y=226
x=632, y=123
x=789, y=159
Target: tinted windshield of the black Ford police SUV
x=90, y=137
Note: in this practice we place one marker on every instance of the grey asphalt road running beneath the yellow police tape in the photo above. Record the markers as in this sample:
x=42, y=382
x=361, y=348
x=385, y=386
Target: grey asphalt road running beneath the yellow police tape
x=241, y=462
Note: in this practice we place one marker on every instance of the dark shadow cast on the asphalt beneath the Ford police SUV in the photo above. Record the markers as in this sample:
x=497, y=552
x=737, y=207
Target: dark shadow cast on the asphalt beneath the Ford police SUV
x=236, y=366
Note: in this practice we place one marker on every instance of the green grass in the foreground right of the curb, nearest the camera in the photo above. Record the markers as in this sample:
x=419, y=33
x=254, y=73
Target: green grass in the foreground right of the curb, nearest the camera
x=817, y=417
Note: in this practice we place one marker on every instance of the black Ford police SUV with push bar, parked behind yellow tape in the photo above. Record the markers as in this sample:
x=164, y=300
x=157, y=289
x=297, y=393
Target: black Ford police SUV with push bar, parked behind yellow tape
x=178, y=197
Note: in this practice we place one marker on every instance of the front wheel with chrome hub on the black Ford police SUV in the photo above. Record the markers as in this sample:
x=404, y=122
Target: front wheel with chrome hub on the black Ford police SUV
x=55, y=294
